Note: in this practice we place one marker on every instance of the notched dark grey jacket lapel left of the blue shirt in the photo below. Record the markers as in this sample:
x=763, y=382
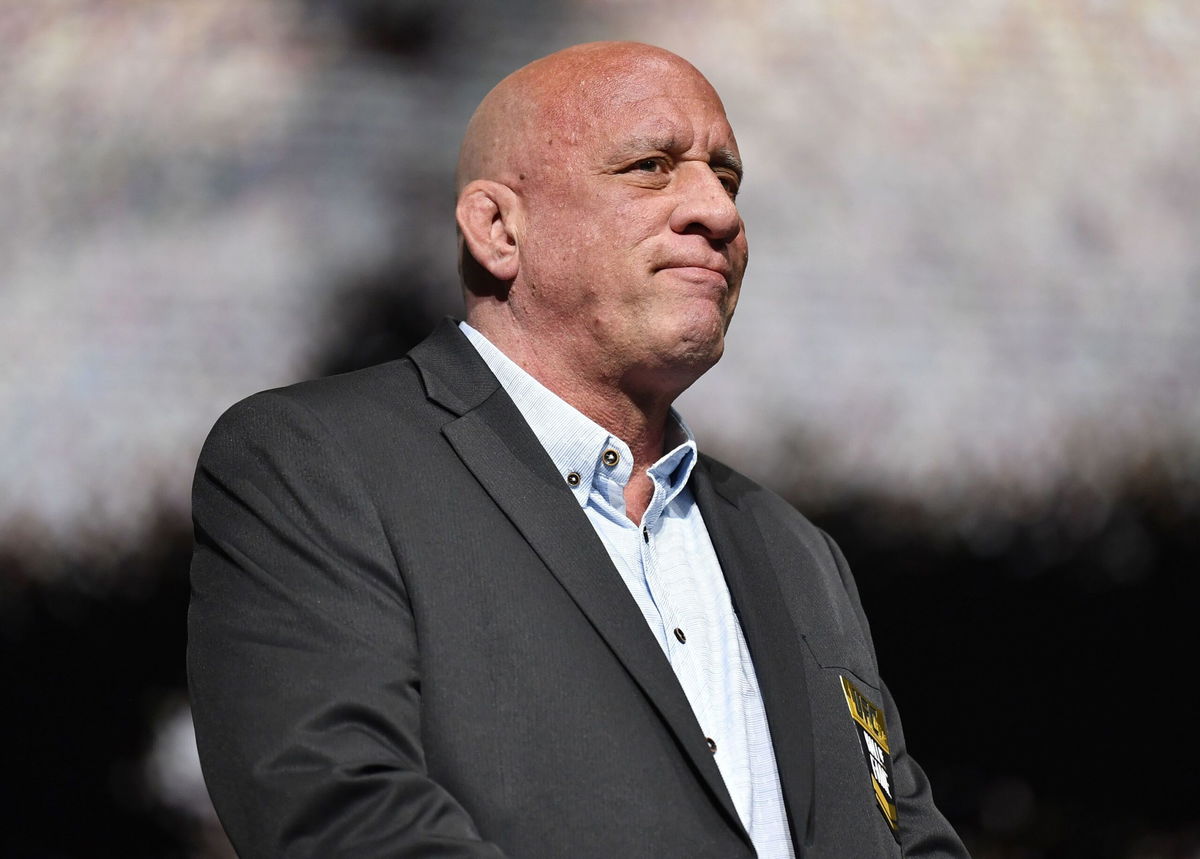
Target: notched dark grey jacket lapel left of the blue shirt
x=493, y=440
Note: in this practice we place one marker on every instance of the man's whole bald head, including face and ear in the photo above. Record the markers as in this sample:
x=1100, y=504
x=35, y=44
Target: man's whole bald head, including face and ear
x=602, y=245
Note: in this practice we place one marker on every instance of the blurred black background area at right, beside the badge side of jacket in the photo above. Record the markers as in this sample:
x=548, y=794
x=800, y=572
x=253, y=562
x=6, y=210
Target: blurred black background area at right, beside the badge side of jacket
x=1045, y=683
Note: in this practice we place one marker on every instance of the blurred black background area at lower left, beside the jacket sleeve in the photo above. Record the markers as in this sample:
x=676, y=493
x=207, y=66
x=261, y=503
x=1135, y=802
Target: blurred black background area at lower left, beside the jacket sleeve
x=87, y=677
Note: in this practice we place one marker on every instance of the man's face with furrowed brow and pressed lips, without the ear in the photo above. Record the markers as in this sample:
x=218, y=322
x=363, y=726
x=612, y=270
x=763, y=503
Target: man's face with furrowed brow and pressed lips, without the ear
x=633, y=249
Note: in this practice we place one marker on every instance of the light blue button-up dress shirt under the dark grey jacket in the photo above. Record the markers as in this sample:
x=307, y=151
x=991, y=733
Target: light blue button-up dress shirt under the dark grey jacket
x=673, y=573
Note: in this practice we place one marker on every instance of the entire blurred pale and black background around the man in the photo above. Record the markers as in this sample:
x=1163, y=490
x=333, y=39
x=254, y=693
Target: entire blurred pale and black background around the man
x=968, y=346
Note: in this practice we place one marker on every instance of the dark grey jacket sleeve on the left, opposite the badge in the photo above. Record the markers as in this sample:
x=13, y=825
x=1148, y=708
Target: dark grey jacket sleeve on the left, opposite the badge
x=303, y=658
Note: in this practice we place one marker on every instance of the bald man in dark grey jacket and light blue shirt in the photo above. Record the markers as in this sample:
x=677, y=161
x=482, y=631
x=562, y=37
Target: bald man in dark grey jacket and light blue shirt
x=489, y=600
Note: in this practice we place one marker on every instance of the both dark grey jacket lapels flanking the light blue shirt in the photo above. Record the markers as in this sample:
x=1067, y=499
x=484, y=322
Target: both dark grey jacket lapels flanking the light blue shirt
x=497, y=446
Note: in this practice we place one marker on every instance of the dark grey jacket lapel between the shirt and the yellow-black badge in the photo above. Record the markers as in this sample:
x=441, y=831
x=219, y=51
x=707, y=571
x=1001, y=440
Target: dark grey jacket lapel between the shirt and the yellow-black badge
x=771, y=634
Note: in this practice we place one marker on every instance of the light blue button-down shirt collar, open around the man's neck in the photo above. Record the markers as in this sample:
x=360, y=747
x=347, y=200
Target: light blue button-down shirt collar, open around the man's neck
x=583, y=450
